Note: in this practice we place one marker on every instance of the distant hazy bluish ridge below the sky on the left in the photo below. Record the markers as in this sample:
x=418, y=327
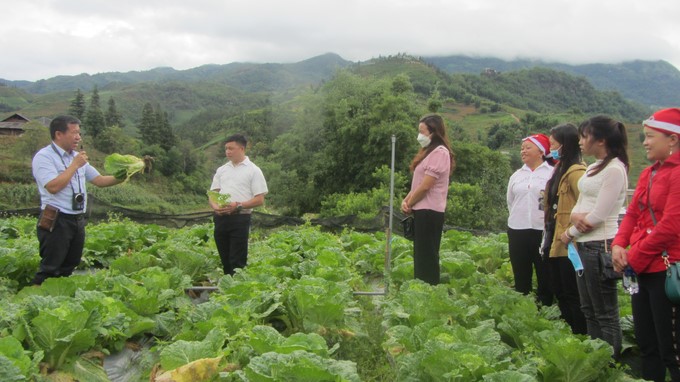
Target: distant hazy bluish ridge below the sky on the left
x=245, y=76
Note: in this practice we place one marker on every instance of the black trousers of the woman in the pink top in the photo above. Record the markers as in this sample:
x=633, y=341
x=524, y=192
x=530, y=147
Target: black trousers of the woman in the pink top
x=429, y=226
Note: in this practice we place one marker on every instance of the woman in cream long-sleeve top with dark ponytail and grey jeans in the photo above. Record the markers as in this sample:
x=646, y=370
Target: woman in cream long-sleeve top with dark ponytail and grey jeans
x=595, y=222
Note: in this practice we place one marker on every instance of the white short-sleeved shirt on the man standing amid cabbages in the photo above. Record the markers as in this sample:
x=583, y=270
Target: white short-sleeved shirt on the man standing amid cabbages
x=242, y=181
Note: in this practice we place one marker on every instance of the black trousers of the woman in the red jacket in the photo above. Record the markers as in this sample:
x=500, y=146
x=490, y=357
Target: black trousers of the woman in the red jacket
x=657, y=327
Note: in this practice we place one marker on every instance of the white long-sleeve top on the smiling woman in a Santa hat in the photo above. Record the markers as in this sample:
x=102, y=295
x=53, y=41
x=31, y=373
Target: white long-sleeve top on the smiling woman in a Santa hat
x=526, y=189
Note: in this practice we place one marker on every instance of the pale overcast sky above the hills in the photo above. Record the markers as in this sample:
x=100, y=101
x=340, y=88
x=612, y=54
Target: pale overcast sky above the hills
x=45, y=38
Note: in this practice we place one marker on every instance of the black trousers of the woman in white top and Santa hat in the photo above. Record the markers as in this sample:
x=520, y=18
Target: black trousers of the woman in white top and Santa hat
x=523, y=245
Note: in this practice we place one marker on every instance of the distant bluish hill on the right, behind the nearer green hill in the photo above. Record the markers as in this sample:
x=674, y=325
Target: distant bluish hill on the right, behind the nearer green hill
x=651, y=83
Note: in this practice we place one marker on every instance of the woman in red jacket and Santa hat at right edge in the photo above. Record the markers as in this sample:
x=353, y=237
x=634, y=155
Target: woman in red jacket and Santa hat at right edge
x=656, y=319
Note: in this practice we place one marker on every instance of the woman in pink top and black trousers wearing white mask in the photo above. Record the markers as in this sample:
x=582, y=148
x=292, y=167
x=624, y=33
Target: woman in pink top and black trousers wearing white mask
x=431, y=168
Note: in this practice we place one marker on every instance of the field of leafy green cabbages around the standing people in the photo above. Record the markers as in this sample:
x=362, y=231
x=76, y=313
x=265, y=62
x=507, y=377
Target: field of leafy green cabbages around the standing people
x=133, y=312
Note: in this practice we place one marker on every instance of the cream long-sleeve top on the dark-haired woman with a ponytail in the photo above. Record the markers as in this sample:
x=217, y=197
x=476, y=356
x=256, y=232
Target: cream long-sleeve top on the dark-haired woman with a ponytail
x=601, y=196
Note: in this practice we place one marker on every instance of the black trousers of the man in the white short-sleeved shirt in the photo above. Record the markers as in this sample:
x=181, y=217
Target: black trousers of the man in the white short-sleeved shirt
x=231, y=237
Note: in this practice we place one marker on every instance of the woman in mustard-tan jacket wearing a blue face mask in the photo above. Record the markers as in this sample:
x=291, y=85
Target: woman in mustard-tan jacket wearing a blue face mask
x=561, y=194
